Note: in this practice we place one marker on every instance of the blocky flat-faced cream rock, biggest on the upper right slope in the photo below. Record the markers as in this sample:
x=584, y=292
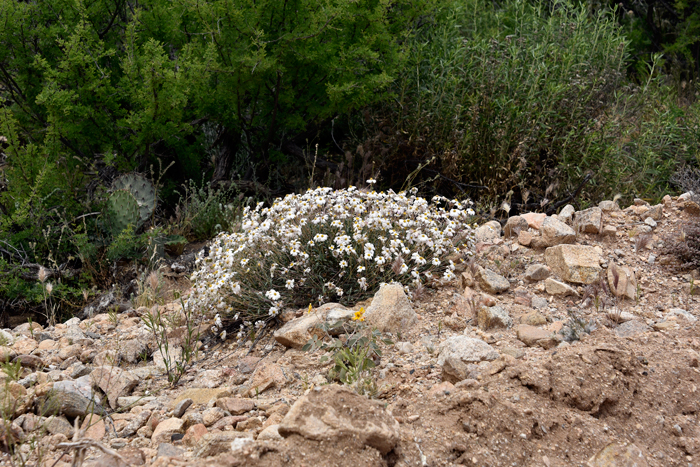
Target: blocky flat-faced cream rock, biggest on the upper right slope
x=574, y=263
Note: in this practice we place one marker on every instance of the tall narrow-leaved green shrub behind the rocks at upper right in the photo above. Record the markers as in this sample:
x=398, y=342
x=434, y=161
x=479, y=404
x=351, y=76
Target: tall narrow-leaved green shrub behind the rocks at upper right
x=515, y=99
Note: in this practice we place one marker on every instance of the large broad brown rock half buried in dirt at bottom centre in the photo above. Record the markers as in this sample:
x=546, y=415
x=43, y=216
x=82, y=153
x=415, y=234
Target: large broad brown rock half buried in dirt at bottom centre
x=335, y=412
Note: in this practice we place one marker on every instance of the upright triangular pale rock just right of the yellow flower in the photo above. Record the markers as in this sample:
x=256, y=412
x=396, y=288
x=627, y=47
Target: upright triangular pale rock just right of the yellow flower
x=391, y=311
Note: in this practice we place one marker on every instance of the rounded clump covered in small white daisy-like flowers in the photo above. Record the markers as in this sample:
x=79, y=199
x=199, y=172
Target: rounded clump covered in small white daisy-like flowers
x=327, y=245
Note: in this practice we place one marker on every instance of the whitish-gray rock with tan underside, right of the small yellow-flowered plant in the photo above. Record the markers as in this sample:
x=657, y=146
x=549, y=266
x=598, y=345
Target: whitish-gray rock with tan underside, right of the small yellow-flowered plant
x=457, y=352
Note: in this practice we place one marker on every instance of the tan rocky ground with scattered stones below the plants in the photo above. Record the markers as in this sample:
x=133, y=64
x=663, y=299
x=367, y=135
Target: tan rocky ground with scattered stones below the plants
x=518, y=363
